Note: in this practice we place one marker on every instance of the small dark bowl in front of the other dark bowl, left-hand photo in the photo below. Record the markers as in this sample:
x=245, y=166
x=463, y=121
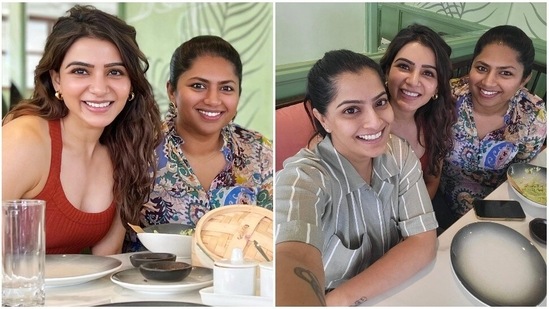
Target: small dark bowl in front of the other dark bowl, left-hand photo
x=165, y=270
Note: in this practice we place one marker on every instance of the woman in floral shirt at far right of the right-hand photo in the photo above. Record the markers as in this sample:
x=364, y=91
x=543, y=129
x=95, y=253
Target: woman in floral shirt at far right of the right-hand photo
x=499, y=121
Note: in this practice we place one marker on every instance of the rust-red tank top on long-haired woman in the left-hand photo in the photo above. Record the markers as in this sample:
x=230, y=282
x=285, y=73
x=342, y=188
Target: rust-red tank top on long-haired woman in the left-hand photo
x=68, y=230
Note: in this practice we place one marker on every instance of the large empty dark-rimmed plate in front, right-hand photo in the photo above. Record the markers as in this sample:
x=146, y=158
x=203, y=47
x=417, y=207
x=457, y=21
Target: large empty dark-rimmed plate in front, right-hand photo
x=498, y=265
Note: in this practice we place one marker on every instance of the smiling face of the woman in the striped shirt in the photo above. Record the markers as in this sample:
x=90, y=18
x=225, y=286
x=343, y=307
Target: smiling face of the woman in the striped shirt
x=359, y=117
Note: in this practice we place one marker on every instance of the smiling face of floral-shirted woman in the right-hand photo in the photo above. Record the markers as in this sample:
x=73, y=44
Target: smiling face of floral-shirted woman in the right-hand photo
x=495, y=77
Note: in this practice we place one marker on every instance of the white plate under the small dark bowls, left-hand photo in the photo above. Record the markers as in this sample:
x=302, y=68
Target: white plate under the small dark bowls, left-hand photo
x=132, y=279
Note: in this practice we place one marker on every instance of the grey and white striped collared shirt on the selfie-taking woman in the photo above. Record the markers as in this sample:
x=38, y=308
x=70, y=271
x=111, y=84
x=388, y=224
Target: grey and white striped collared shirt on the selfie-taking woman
x=323, y=201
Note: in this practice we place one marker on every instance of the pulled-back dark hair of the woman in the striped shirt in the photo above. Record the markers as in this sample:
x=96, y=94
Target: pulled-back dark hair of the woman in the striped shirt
x=321, y=80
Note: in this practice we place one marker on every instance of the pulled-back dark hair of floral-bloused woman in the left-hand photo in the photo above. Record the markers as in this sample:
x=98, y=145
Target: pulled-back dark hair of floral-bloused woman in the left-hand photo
x=203, y=45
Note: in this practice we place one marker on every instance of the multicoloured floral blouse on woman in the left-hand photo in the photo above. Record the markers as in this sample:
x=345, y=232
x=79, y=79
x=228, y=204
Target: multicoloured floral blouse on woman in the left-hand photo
x=177, y=195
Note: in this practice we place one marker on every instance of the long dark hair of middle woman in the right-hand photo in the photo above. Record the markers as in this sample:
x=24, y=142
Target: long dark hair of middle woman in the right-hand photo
x=436, y=117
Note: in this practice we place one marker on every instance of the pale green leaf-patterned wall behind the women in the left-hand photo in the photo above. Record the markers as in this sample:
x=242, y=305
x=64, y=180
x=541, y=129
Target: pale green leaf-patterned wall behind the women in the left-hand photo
x=161, y=27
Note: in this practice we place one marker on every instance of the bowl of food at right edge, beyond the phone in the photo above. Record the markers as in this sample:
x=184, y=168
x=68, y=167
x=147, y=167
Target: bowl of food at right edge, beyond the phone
x=529, y=183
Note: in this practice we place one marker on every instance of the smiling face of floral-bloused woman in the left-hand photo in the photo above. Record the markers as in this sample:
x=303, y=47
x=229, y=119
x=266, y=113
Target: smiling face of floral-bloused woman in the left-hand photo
x=206, y=96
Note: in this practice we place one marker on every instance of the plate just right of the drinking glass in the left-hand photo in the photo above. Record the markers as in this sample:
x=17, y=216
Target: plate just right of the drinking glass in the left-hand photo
x=70, y=269
